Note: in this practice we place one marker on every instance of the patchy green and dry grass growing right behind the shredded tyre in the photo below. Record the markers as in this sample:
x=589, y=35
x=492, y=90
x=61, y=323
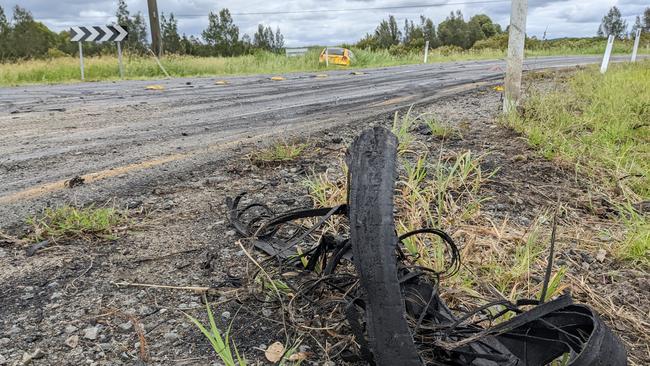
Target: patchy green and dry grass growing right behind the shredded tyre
x=444, y=190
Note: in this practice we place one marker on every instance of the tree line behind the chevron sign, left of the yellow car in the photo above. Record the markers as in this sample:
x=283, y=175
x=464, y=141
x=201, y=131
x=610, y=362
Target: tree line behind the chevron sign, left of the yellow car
x=23, y=37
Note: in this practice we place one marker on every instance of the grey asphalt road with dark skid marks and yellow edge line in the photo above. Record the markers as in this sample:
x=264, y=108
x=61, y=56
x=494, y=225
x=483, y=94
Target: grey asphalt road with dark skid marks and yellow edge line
x=120, y=136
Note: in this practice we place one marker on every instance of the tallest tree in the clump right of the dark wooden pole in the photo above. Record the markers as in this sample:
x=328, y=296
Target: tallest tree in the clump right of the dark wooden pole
x=222, y=34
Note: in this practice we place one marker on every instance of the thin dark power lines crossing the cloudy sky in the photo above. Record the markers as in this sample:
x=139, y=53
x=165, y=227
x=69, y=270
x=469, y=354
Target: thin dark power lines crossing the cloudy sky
x=318, y=11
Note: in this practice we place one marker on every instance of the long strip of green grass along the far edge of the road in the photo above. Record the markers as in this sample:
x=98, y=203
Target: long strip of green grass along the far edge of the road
x=66, y=69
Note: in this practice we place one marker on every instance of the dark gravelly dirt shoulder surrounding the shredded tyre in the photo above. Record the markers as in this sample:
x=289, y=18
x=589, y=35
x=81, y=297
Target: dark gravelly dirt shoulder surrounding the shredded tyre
x=66, y=300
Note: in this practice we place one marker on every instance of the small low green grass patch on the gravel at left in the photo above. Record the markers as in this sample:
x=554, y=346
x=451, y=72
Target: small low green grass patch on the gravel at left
x=68, y=222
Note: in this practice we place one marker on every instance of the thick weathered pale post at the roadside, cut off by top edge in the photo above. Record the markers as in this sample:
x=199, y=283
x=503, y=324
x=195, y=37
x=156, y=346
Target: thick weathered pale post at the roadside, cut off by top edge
x=515, y=60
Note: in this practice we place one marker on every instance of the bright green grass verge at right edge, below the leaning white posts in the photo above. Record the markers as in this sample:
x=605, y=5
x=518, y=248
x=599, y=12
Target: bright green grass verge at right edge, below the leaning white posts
x=600, y=124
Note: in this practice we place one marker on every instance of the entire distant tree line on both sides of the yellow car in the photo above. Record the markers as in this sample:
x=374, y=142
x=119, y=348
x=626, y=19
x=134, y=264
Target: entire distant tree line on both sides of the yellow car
x=23, y=37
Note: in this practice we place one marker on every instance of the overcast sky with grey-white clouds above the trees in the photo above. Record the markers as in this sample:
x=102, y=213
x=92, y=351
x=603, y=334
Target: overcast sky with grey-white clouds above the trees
x=563, y=18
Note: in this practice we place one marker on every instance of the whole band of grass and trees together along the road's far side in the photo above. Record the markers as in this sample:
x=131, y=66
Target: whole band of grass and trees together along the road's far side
x=31, y=53
